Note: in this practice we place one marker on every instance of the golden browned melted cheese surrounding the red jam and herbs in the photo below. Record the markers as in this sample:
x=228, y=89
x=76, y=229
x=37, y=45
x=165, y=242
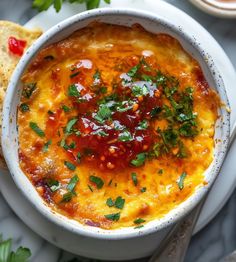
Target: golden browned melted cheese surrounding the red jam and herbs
x=104, y=46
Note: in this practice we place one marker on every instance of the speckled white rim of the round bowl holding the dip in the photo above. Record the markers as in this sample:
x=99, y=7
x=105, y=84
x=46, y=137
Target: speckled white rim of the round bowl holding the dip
x=181, y=210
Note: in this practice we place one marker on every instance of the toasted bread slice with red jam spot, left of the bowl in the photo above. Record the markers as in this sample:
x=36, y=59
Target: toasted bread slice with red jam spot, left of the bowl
x=8, y=60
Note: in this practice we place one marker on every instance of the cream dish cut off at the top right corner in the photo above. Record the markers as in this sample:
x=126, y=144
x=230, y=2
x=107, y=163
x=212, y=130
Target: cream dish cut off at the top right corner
x=217, y=7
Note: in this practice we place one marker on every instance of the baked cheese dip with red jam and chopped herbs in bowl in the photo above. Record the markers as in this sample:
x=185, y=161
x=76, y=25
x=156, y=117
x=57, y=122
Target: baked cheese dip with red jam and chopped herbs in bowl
x=116, y=125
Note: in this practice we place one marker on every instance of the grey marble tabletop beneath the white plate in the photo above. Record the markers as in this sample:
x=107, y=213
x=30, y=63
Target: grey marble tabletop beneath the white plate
x=216, y=240
